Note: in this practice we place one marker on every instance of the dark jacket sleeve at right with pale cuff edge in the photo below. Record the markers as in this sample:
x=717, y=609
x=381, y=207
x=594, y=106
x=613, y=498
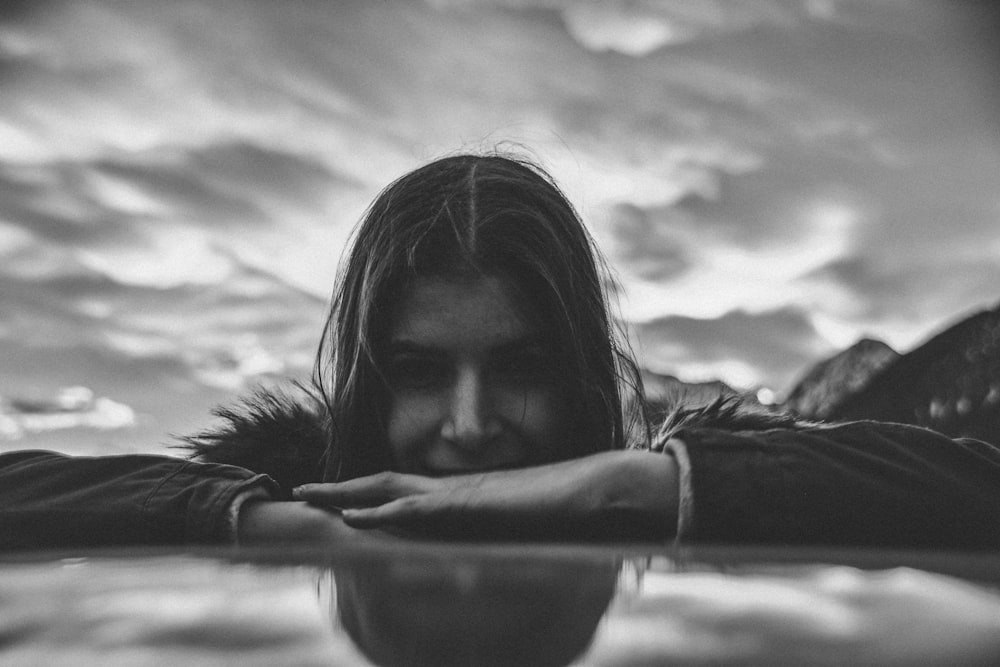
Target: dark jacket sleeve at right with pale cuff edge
x=857, y=483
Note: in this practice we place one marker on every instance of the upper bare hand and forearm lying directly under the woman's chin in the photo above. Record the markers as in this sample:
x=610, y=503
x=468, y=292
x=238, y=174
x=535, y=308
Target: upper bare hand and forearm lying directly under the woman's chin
x=619, y=495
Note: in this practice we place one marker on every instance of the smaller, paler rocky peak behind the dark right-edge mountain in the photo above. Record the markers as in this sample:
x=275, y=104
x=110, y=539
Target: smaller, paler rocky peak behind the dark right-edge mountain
x=829, y=383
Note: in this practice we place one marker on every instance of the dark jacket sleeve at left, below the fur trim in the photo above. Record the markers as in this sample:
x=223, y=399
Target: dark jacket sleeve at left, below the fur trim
x=50, y=500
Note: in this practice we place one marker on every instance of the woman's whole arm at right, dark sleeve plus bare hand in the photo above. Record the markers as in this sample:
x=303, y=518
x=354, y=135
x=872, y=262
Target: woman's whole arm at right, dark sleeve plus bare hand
x=854, y=484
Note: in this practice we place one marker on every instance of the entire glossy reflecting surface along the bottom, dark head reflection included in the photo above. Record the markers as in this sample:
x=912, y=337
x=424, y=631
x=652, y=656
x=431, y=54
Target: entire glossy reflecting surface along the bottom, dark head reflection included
x=447, y=605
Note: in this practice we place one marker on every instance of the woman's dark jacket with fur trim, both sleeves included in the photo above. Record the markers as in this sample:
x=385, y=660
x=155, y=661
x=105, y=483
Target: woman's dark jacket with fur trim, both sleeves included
x=746, y=478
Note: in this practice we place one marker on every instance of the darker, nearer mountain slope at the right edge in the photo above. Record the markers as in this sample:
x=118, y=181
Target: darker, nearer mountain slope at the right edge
x=951, y=383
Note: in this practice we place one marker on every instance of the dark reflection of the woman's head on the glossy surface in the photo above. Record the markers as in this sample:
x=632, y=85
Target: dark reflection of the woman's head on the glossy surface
x=473, y=611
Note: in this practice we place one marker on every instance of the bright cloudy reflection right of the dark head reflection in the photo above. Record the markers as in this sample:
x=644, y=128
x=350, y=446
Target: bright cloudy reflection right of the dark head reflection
x=808, y=614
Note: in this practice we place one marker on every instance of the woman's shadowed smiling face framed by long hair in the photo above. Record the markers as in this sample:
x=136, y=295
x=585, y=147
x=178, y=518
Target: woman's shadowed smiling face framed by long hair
x=470, y=383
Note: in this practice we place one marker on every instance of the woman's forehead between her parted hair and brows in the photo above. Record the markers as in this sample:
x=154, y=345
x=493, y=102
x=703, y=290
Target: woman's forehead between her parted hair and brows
x=475, y=311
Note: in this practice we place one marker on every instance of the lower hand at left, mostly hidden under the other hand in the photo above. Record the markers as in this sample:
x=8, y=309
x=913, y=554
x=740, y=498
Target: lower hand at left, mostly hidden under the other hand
x=279, y=522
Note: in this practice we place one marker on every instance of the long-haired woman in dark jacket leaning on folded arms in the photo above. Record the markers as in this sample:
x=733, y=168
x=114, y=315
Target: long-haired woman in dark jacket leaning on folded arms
x=470, y=384
